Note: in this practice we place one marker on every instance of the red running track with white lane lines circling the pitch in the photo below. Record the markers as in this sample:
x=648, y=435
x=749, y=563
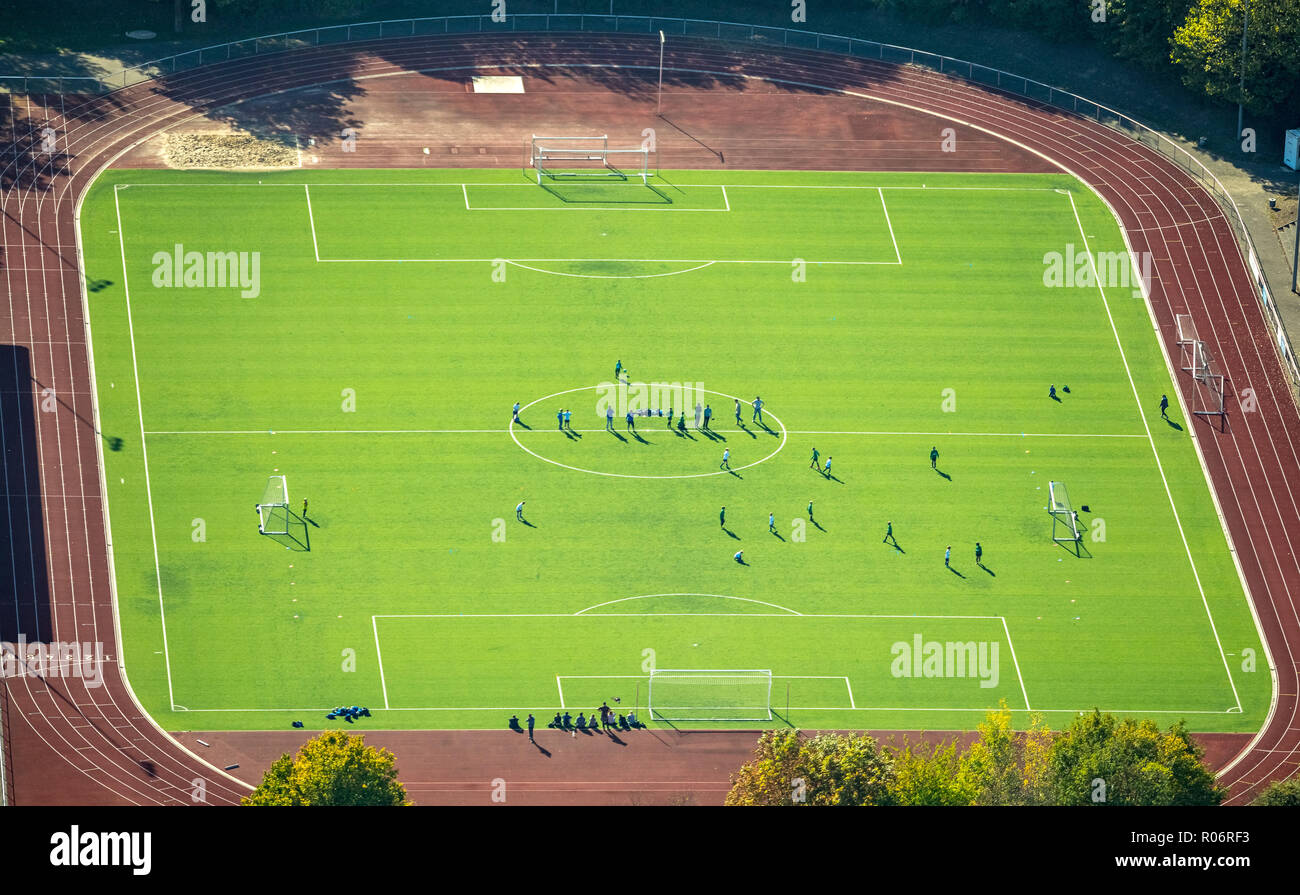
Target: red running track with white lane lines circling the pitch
x=110, y=753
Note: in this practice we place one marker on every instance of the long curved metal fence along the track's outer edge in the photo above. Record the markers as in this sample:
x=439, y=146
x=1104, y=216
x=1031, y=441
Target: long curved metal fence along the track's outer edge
x=756, y=36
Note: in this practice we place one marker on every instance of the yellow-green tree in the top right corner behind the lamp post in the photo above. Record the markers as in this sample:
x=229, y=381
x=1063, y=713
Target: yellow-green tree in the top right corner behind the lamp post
x=1208, y=47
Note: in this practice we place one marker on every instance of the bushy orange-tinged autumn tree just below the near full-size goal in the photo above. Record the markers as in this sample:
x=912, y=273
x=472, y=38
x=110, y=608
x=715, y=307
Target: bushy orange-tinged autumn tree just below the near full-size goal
x=826, y=771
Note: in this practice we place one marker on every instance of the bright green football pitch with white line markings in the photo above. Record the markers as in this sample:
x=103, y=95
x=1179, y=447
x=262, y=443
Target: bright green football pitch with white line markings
x=398, y=315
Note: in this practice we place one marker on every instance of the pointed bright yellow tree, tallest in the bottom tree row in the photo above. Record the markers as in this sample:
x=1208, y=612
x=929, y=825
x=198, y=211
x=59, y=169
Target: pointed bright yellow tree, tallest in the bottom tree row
x=1004, y=768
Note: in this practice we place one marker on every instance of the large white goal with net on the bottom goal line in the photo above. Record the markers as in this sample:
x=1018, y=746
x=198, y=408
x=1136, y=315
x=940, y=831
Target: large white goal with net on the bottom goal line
x=712, y=695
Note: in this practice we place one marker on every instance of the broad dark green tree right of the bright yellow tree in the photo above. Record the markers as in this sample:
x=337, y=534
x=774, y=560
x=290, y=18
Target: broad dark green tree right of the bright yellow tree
x=1102, y=760
